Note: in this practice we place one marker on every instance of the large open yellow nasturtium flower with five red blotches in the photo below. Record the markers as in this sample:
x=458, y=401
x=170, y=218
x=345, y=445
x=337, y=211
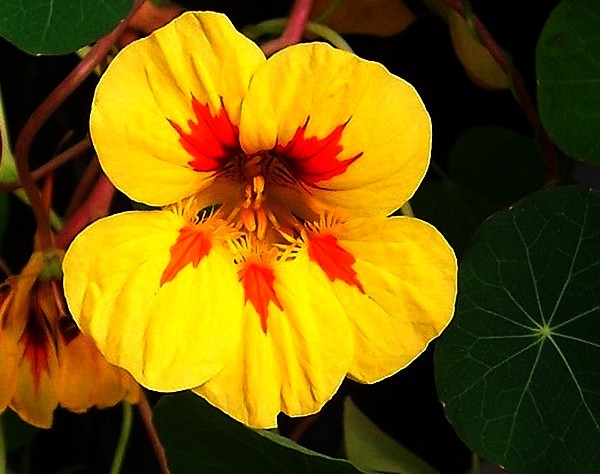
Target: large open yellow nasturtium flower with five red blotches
x=272, y=271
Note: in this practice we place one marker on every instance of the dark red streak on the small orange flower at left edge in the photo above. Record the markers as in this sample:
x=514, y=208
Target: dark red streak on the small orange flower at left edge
x=36, y=343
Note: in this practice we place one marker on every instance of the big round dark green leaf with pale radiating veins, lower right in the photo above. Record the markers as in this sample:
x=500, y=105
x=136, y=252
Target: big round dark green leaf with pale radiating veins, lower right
x=517, y=369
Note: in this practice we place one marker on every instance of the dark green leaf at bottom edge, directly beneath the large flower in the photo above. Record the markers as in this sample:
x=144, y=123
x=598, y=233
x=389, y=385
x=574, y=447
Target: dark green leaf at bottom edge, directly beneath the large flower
x=200, y=438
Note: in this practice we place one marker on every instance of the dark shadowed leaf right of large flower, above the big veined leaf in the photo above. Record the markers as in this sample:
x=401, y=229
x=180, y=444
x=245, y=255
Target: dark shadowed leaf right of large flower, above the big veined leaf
x=489, y=168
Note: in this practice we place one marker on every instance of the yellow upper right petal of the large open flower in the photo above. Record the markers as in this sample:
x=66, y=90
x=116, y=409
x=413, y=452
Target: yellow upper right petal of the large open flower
x=386, y=131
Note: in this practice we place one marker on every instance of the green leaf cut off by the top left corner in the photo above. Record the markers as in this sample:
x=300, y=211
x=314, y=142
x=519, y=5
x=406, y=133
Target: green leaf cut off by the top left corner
x=58, y=26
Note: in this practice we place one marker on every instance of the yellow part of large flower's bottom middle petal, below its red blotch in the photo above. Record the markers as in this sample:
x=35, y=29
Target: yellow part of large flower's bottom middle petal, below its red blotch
x=297, y=364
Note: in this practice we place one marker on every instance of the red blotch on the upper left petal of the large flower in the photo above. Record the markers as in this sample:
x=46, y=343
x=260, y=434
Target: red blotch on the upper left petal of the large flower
x=212, y=140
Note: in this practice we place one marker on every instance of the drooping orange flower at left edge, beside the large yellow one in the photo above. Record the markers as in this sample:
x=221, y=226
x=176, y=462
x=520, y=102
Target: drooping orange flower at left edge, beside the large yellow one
x=46, y=361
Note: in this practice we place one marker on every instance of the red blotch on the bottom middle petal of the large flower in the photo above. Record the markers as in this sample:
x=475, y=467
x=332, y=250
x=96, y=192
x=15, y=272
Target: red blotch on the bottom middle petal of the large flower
x=258, y=289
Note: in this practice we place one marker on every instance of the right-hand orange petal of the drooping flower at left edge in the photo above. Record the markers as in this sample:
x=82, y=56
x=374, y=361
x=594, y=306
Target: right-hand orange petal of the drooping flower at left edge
x=86, y=379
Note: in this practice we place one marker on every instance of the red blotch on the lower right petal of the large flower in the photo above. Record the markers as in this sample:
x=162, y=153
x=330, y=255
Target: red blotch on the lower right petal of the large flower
x=336, y=262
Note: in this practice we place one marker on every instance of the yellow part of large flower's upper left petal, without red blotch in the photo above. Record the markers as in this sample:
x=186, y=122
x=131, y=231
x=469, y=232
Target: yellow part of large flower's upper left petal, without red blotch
x=150, y=84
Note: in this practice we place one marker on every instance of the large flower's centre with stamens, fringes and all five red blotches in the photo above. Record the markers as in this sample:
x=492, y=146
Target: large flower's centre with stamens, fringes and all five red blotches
x=255, y=193
